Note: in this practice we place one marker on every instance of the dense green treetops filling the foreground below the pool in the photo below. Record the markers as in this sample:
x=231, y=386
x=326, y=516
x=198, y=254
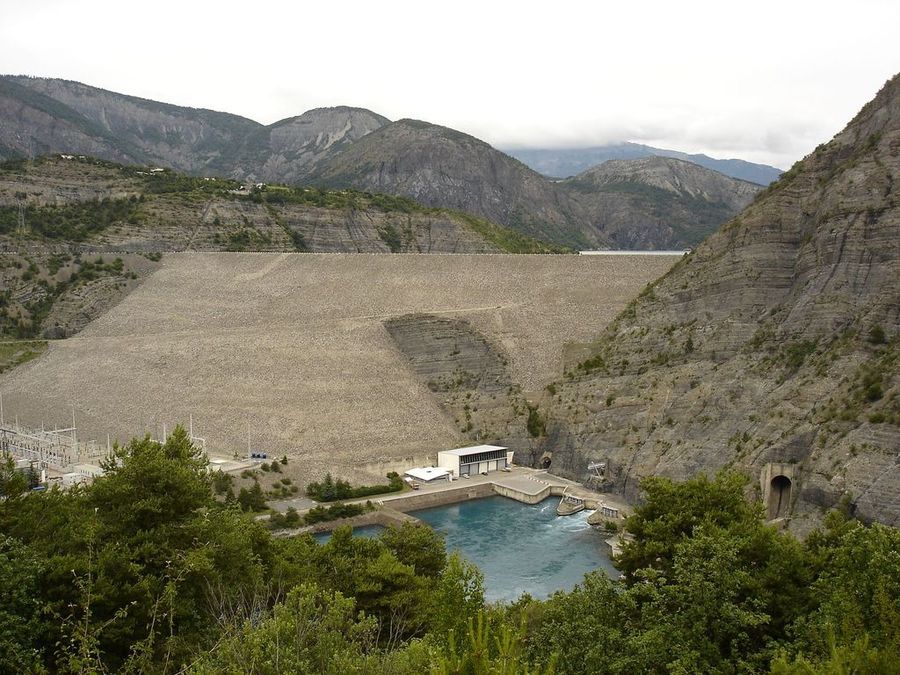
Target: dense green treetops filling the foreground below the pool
x=146, y=571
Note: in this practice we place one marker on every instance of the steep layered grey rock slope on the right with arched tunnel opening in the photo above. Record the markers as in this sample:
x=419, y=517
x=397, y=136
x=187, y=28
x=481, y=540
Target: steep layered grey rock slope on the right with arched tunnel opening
x=773, y=348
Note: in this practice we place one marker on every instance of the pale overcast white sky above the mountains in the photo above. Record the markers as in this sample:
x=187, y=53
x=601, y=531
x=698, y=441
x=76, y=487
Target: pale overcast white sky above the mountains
x=763, y=81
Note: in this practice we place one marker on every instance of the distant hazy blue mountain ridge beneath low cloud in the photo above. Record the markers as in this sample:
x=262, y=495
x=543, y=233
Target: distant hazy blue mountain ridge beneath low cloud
x=567, y=162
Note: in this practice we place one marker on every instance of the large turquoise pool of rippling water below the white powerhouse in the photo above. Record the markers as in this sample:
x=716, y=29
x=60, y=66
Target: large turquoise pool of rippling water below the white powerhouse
x=521, y=548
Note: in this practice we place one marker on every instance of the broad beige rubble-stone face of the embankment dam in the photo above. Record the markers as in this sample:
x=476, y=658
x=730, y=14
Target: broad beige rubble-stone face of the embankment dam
x=291, y=350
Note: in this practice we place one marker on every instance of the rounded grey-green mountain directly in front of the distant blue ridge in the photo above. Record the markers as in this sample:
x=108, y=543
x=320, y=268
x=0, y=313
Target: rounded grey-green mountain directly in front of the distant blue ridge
x=657, y=202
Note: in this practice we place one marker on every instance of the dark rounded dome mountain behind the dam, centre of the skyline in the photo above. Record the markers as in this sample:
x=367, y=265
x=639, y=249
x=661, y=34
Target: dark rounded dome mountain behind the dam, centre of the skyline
x=443, y=167
